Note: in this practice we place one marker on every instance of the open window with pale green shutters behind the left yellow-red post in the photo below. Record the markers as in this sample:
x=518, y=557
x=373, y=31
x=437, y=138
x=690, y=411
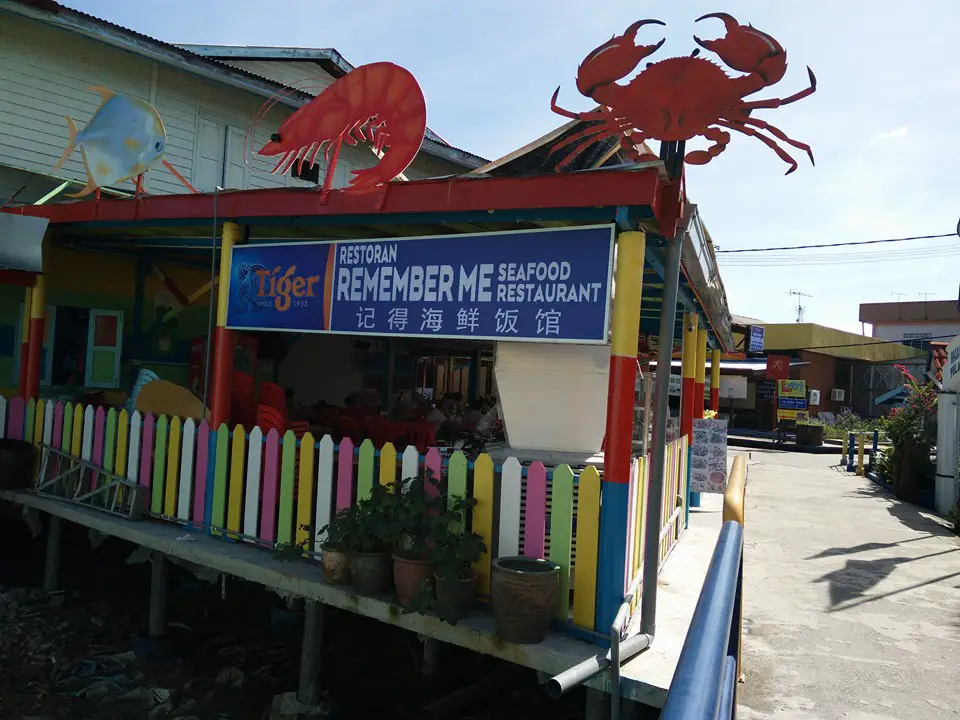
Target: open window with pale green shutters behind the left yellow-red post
x=82, y=347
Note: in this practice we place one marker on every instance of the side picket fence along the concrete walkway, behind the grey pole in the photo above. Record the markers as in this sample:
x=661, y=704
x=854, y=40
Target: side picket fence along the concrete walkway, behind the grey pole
x=671, y=511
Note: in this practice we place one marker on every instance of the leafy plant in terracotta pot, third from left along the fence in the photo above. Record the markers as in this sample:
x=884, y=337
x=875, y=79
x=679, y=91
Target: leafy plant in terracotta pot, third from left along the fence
x=415, y=516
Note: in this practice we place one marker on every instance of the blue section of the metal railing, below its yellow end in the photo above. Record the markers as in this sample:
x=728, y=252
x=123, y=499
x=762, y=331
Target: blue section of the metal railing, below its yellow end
x=705, y=683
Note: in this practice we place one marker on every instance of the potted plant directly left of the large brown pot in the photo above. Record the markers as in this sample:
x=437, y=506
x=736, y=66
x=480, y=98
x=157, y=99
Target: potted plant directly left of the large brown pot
x=454, y=552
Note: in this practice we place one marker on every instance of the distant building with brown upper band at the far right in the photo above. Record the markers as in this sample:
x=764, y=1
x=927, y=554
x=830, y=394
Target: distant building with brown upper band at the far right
x=913, y=323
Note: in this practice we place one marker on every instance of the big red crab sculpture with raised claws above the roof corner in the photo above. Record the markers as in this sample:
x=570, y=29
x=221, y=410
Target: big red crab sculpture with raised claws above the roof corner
x=680, y=98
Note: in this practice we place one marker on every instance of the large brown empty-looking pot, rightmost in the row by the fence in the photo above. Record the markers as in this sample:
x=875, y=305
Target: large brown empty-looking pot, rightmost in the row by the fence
x=523, y=593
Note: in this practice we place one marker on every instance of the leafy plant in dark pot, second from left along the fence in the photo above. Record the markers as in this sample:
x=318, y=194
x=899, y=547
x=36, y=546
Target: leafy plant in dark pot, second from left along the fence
x=370, y=550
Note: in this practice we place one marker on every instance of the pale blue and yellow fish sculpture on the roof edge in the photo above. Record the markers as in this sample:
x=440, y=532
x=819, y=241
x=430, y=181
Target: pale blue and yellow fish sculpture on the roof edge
x=123, y=139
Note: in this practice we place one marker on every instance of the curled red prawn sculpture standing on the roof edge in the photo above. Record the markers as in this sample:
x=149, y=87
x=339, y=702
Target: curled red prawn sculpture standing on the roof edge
x=381, y=103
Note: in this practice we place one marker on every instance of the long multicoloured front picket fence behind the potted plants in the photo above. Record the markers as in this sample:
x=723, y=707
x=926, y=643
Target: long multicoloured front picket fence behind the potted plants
x=277, y=490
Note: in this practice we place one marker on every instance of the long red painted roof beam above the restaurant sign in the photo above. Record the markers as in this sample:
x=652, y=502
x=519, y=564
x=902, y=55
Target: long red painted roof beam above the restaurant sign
x=551, y=191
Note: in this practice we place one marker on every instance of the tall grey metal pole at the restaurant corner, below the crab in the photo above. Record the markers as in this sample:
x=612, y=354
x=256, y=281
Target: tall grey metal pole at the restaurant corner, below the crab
x=651, y=545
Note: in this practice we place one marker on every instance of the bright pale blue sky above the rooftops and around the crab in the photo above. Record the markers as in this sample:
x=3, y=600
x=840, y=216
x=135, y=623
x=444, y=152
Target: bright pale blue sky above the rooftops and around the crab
x=883, y=123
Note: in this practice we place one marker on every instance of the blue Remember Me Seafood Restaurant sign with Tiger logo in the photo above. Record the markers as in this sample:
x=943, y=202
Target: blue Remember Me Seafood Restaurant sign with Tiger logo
x=529, y=285
